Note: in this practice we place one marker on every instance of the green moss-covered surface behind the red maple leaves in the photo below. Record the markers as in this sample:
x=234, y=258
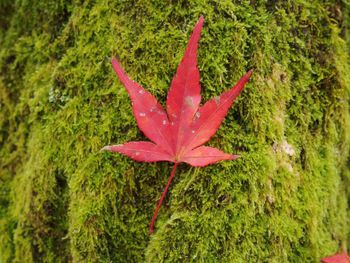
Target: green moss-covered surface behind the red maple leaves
x=285, y=200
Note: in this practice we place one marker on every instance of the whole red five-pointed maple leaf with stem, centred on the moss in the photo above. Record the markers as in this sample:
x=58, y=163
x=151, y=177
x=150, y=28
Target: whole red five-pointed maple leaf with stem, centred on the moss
x=177, y=134
